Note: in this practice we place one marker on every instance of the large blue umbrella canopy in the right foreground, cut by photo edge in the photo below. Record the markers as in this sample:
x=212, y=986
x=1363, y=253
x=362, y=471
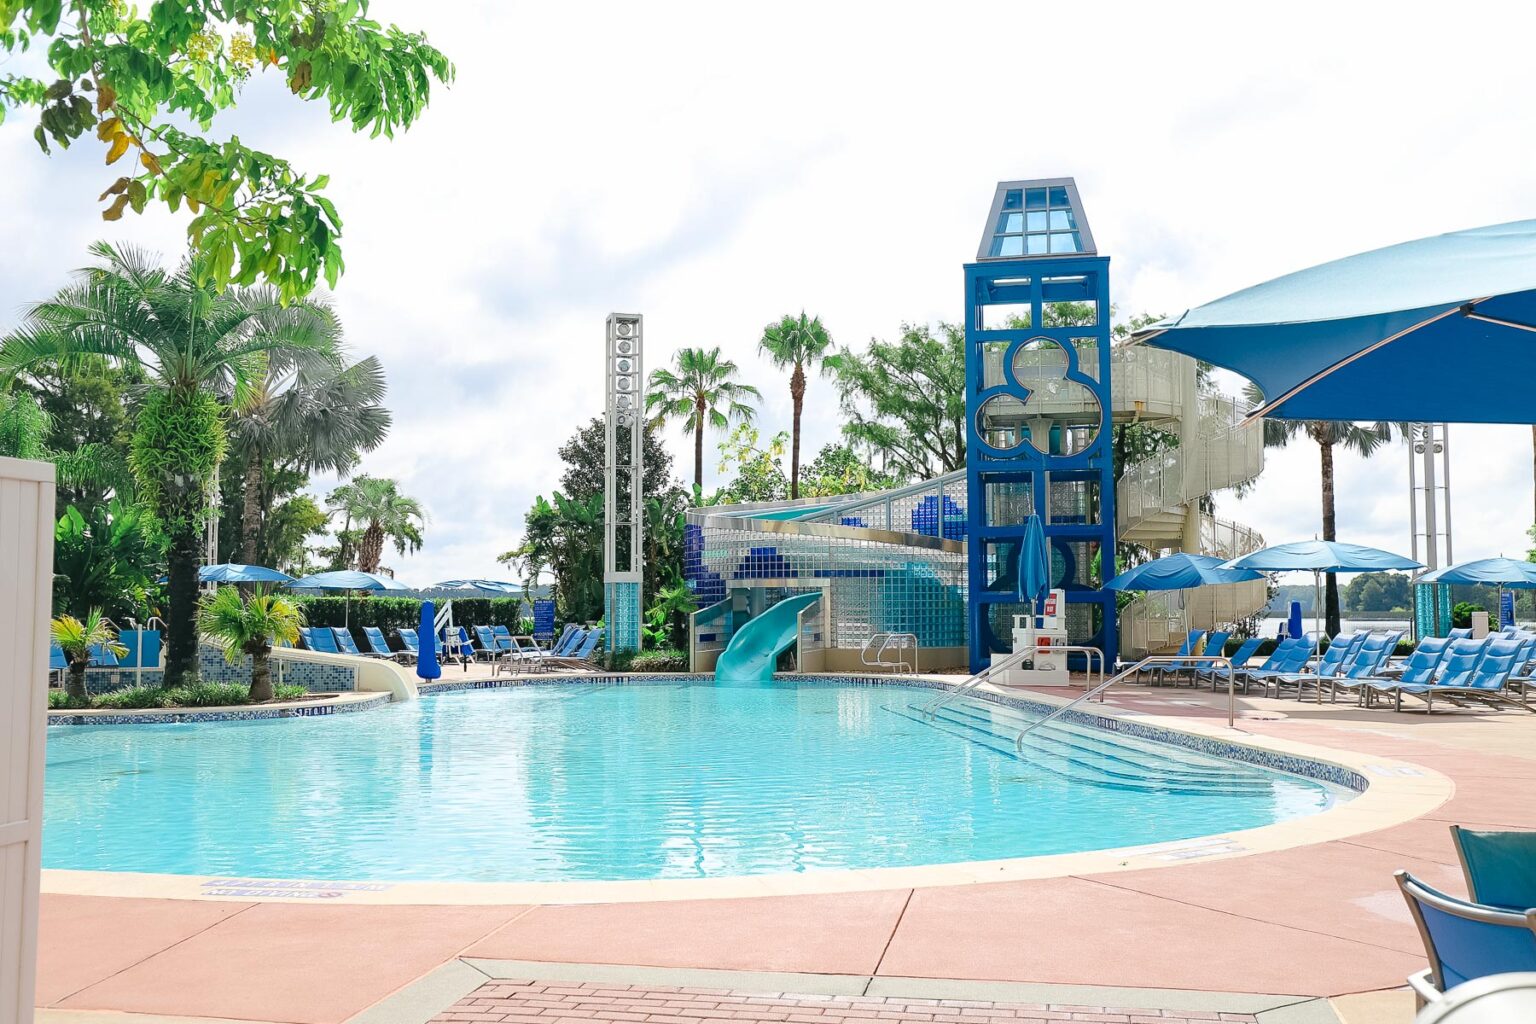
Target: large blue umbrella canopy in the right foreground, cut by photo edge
x=1386, y=334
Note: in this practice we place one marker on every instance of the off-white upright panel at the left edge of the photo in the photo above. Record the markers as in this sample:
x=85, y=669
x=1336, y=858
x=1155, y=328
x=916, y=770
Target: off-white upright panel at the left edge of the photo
x=27, y=575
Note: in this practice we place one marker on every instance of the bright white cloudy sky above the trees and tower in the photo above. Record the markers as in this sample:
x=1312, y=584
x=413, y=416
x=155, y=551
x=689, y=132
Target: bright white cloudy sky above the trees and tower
x=717, y=167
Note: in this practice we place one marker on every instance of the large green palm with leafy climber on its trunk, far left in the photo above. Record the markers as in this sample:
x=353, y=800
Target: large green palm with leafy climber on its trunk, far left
x=193, y=346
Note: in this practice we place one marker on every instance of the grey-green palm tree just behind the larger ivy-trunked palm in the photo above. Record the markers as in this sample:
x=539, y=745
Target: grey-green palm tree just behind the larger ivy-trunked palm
x=308, y=412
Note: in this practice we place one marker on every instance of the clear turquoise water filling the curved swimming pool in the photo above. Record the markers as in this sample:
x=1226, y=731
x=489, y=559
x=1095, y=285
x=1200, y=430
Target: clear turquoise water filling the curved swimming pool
x=649, y=781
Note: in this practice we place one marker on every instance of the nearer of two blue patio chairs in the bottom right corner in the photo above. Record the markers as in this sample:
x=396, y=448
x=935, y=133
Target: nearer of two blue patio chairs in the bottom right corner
x=1465, y=940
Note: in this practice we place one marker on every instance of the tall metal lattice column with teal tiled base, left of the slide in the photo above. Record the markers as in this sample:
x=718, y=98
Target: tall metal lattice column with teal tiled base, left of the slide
x=624, y=484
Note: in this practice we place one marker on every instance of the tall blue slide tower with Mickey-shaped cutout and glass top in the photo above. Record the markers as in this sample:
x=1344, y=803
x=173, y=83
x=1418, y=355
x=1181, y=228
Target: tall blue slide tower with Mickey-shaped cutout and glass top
x=1038, y=409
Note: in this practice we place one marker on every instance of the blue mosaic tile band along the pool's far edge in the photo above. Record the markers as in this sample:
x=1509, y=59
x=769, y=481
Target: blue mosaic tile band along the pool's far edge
x=1260, y=758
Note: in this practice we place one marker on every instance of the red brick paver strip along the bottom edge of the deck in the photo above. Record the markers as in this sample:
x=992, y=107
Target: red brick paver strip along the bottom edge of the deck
x=572, y=1003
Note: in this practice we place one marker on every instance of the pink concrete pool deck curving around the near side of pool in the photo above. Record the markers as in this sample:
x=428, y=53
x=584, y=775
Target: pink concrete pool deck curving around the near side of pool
x=1319, y=920
